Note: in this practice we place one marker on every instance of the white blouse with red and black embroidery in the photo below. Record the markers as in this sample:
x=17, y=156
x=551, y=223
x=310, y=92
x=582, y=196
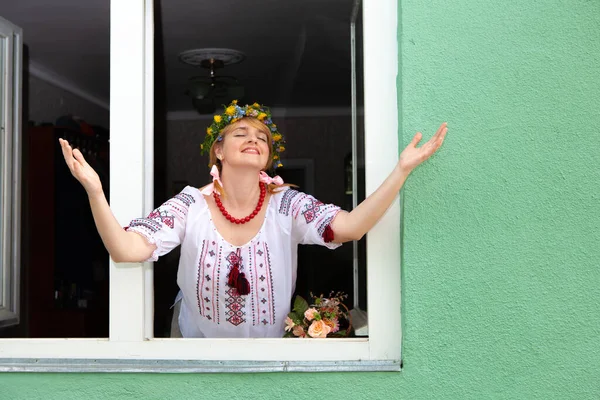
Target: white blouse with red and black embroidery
x=210, y=308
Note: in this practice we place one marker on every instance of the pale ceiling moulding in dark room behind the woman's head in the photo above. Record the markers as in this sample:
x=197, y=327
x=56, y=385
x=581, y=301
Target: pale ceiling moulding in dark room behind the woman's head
x=277, y=112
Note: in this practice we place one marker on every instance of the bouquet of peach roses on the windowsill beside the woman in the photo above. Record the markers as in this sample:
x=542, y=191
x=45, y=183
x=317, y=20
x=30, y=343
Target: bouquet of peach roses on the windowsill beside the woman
x=325, y=317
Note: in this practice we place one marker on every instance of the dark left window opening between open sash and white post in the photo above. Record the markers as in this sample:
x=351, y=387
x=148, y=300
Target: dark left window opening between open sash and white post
x=65, y=94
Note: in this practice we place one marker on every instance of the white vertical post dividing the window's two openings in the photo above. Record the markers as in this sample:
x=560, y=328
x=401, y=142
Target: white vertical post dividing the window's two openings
x=128, y=106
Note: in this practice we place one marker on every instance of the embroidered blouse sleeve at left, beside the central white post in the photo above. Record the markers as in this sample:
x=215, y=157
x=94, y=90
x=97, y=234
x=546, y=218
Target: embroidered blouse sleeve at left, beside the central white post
x=165, y=226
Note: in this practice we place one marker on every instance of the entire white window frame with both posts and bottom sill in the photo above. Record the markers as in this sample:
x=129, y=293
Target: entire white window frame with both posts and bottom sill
x=130, y=345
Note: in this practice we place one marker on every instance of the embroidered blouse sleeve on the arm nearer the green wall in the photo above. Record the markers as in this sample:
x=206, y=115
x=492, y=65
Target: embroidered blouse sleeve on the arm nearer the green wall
x=310, y=218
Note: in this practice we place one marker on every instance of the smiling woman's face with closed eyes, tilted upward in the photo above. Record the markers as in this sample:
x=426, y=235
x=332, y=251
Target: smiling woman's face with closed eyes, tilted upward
x=245, y=145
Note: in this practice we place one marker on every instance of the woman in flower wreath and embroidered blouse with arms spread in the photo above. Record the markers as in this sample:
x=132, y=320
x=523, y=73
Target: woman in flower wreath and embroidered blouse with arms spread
x=239, y=235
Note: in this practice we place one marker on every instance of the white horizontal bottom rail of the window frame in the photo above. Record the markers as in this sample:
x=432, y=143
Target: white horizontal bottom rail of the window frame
x=190, y=349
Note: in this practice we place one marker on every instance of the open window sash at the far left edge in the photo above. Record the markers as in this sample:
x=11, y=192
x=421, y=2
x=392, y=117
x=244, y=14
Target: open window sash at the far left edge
x=10, y=174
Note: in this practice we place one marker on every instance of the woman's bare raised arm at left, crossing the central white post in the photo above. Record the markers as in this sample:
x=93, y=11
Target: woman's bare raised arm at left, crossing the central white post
x=121, y=245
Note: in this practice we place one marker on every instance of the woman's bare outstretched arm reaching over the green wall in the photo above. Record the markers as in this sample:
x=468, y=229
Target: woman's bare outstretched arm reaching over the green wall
x=354, y=225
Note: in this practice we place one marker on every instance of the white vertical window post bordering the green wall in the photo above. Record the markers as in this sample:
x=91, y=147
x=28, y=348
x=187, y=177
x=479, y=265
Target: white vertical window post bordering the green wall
x=381, y=126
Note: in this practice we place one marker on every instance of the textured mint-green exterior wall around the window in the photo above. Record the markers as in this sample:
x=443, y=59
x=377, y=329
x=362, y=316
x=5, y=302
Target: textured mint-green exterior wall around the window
x=501, y=284
